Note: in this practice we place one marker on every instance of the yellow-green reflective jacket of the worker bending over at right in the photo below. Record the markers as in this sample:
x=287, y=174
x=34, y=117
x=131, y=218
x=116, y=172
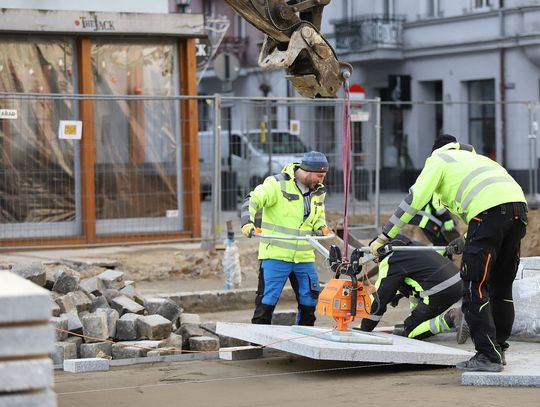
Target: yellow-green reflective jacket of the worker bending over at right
x=467, y=183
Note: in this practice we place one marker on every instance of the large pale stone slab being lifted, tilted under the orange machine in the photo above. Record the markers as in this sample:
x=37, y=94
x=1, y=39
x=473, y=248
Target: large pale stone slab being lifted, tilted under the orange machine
x=403, y=350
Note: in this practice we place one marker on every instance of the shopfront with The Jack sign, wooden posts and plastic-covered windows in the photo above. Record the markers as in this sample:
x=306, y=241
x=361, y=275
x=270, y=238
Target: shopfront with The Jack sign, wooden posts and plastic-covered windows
x=96, y=143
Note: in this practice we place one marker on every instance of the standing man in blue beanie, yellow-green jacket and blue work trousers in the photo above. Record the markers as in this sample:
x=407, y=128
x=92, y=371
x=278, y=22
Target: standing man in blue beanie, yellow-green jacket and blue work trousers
x=292, y=204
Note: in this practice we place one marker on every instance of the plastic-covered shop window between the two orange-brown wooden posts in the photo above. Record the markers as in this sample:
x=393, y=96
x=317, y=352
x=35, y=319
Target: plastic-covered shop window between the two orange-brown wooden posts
x=136, y=140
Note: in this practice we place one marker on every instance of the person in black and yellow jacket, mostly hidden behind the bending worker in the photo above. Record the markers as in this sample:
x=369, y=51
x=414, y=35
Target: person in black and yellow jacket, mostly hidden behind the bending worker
x=436, y=222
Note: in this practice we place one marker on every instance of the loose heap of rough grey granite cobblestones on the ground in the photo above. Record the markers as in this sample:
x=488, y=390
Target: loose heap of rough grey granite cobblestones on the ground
x=105, y=317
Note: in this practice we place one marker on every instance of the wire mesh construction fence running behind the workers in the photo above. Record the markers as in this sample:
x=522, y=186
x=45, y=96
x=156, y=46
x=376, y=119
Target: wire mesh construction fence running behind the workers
x=172, y=167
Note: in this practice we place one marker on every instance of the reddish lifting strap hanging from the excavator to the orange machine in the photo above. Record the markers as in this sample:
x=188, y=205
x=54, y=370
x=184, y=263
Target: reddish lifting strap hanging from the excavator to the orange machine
x=346, y=164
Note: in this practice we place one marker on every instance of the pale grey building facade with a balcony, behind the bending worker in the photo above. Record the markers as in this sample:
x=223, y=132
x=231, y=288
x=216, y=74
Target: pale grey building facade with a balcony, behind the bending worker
x=465, y=67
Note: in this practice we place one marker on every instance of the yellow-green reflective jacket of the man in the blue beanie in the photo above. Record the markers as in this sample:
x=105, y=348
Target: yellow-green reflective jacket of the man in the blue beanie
x=283, y=214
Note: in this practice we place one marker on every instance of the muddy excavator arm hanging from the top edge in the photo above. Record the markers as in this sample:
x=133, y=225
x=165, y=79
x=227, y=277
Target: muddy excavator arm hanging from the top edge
x=294, y=42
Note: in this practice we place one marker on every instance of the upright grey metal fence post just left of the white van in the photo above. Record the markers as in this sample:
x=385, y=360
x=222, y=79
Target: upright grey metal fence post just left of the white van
x=216, y=177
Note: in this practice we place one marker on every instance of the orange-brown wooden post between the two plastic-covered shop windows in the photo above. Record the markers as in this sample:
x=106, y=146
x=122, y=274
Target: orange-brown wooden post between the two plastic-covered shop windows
x=88, y=145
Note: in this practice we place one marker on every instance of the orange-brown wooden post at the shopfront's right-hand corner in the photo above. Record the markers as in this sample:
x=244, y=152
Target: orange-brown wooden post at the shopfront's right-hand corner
x=190, y=139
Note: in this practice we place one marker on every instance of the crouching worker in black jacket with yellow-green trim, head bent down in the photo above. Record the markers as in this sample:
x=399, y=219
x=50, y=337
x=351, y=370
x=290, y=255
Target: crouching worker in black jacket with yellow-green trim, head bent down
x=432, y=284
